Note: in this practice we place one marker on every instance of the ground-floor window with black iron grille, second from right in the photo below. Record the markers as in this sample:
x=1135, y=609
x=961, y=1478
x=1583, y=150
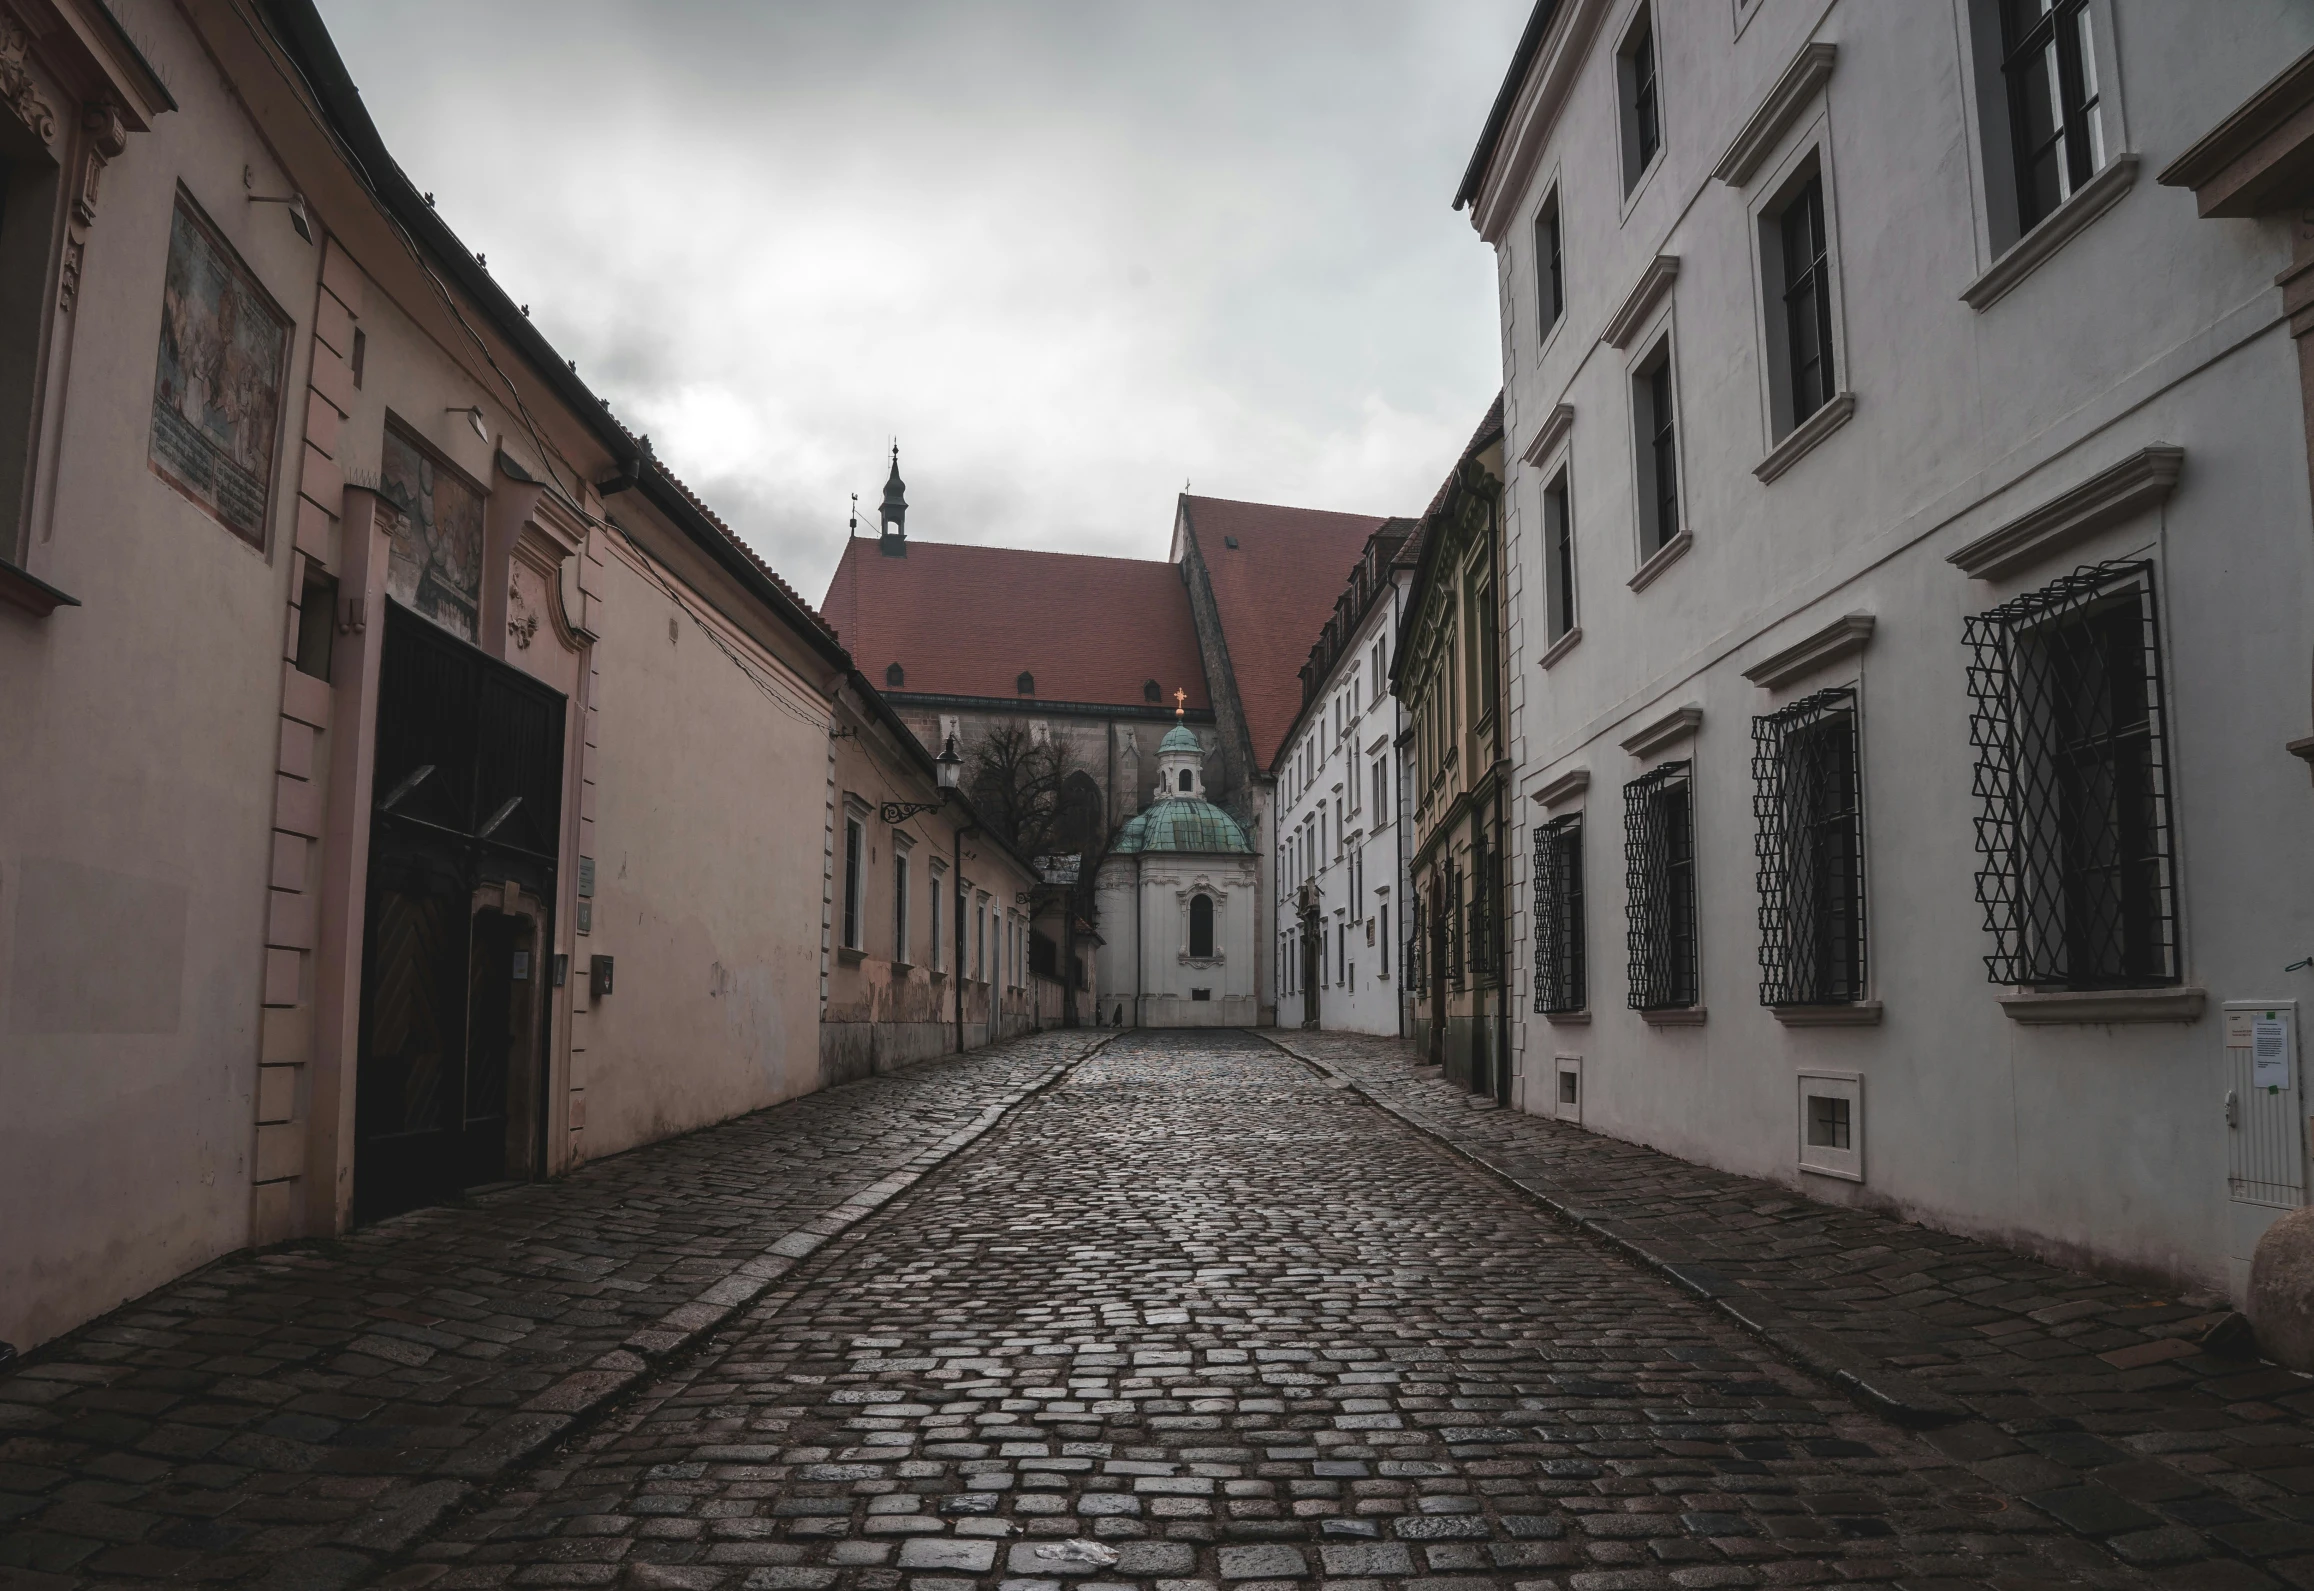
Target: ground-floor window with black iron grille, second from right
x=1808, y=799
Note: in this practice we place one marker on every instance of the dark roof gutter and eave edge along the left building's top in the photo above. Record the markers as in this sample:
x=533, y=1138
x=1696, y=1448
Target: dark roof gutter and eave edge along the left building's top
x=300, y=31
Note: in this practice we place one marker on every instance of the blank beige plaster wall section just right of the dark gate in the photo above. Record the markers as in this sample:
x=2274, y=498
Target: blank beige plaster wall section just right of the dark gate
x=705, y=885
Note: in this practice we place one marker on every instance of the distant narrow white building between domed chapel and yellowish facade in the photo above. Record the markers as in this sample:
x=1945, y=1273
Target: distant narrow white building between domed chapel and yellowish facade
x=1341, y=859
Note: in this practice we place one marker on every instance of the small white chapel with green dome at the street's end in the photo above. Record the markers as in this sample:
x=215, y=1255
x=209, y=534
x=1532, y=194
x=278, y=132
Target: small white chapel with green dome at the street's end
x=1179, y=901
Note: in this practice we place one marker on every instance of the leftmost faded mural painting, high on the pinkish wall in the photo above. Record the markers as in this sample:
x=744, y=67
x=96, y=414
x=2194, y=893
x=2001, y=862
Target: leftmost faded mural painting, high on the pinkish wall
x=216, y=397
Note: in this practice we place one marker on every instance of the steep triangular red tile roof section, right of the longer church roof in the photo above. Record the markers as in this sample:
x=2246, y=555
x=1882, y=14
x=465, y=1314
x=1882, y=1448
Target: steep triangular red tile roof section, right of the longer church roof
x=1274, y=591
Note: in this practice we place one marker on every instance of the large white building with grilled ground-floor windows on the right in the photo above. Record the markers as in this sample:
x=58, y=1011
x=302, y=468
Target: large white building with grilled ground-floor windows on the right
x=1908, y=609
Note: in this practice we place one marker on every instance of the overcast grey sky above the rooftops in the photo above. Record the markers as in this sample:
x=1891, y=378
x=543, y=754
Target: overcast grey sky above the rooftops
x=1073, y=256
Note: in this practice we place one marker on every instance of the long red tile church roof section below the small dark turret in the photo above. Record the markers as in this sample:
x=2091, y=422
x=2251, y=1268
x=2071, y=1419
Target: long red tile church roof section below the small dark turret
x=968, y=621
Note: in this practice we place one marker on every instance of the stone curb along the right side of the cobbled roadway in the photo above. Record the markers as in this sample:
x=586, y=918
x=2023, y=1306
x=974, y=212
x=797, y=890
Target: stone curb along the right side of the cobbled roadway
x=1880, y=1389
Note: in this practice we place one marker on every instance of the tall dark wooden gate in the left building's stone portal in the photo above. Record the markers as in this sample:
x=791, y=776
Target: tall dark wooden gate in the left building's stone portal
x=469, y=794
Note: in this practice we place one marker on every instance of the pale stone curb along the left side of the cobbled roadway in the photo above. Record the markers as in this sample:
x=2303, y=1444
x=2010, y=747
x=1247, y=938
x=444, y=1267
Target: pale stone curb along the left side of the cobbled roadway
x=552, y=1414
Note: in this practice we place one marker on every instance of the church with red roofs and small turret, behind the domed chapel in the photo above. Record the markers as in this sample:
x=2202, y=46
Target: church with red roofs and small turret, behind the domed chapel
x=1093, y=656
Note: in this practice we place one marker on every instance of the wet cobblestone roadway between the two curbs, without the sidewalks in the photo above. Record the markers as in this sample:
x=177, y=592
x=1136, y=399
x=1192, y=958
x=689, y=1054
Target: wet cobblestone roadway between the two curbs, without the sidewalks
x=1202, y=1317
